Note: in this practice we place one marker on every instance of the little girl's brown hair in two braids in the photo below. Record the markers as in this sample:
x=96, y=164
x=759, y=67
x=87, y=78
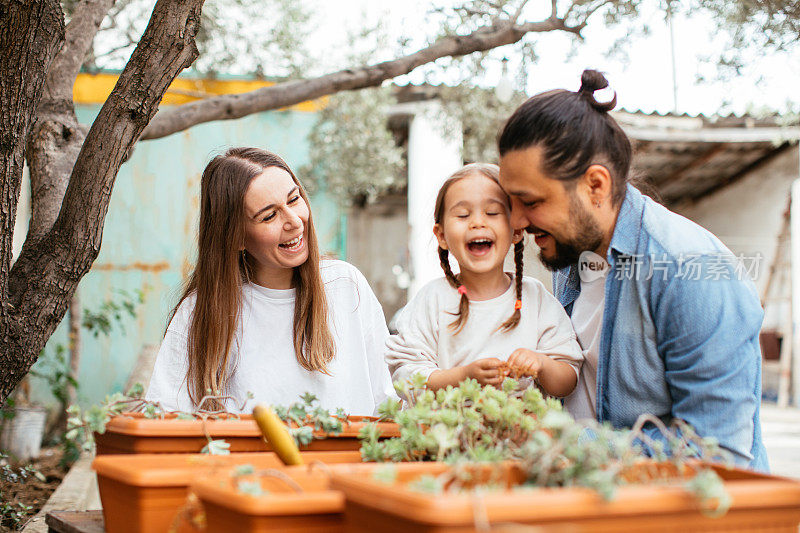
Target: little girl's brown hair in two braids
x=491, y=172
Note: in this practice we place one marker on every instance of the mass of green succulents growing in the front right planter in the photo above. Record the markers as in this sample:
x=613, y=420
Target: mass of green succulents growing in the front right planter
x=469, y=423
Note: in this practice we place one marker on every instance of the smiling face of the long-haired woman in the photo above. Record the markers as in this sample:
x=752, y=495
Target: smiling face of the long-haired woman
x=275, y=227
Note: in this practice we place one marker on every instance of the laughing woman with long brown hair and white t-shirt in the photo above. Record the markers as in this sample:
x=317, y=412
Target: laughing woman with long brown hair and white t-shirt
x=262, y=313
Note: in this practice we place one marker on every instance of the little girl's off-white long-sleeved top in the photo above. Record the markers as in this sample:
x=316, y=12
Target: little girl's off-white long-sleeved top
x=424, y=341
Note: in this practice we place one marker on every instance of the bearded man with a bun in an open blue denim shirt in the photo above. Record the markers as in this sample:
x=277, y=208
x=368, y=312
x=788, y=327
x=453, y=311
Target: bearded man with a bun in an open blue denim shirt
x=668, y=321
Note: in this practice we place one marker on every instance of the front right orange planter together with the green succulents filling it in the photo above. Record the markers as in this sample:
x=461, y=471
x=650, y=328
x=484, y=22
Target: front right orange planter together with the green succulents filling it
x=587, y=475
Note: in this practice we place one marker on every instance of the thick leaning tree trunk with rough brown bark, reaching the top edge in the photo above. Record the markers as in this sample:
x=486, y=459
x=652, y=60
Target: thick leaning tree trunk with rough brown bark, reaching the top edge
x=47, y=272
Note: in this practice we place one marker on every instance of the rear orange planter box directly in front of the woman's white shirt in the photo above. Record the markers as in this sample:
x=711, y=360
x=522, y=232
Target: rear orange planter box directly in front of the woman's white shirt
x=132, y=433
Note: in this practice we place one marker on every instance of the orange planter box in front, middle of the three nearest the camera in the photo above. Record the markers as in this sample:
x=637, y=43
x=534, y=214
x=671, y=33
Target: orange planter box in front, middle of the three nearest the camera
x=281, y=509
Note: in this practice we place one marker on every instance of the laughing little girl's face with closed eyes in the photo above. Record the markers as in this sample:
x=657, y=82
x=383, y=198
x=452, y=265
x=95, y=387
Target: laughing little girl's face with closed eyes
x=475, y=224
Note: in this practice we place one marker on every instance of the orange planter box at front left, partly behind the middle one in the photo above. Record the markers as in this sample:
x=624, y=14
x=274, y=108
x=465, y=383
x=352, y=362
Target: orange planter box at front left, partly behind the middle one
x=143, y=493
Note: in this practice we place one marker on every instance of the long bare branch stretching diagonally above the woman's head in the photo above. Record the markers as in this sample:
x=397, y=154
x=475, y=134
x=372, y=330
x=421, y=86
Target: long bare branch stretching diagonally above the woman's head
x=234, y=106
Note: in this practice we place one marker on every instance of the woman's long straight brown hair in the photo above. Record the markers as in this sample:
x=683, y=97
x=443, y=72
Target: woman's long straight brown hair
x=223, y=268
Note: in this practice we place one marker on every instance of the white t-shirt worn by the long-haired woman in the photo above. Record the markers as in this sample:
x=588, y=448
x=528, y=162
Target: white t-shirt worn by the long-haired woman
x=263, y=358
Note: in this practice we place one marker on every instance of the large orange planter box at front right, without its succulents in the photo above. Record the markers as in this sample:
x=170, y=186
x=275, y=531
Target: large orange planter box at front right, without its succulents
x=760, y=503
